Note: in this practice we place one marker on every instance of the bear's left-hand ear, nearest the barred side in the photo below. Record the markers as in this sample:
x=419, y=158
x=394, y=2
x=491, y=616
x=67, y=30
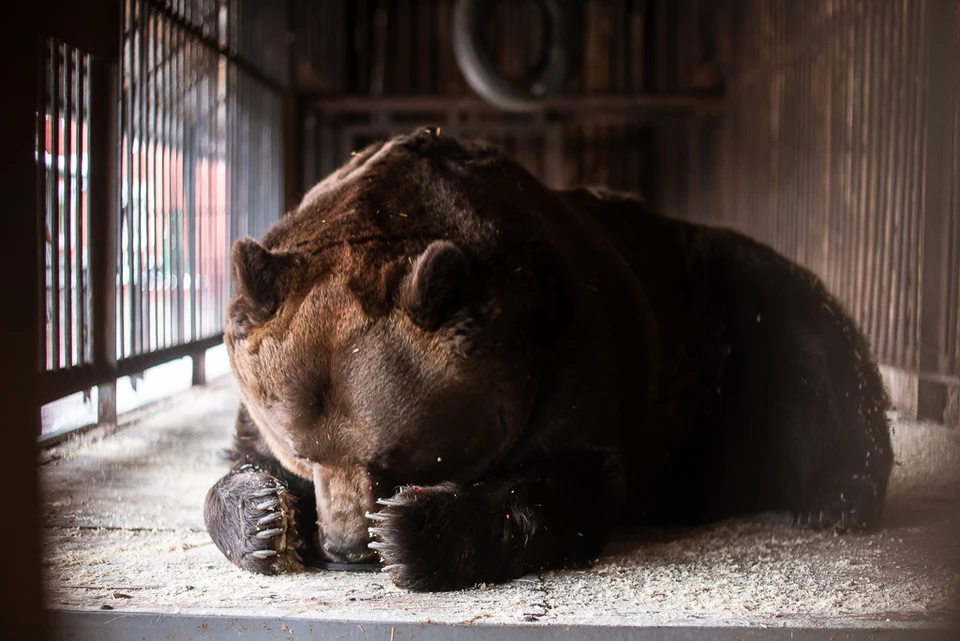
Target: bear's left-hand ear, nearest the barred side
x=260, y=276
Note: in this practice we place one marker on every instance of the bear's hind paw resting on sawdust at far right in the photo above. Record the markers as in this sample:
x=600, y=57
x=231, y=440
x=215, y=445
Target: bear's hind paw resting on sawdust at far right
x=844, y=504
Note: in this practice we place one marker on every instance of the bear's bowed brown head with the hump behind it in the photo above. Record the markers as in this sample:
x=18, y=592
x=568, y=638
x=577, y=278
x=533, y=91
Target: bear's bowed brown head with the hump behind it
x=384, y=332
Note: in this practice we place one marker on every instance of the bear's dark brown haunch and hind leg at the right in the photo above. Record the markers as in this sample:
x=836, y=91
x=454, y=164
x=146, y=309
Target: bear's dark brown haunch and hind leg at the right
x=801, y=390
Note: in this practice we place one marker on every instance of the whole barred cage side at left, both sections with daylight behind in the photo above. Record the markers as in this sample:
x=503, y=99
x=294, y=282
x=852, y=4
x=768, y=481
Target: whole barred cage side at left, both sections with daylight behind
x=188, y=74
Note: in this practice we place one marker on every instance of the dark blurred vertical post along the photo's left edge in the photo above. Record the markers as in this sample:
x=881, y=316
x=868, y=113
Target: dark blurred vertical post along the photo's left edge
x=20, y=48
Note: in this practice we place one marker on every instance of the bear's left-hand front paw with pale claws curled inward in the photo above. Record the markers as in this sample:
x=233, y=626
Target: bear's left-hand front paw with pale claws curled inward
x=250, y=516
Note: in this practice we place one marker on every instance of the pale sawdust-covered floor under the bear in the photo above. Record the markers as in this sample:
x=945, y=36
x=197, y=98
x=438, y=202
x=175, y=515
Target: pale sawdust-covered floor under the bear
x=125, y=538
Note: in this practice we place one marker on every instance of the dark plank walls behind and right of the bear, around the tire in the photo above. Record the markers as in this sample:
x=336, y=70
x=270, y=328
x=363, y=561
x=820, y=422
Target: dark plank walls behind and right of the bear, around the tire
x=837, y=141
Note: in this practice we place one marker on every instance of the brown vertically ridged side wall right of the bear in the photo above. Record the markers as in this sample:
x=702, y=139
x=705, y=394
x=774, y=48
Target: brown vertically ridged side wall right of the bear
x=840, y=146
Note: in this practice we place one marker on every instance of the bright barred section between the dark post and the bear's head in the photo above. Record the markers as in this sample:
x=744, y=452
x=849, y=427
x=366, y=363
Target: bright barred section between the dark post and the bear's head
x=182, y=200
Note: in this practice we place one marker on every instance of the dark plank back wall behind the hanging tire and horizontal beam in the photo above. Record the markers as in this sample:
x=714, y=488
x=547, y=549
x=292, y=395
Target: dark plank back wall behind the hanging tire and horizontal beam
x=401, y=48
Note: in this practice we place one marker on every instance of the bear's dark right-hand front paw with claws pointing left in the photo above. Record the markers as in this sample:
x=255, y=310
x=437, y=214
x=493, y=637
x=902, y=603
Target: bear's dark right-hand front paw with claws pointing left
x=439, y=538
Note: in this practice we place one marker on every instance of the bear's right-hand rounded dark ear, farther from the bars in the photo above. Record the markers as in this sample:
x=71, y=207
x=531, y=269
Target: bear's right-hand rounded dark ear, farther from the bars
x=438, y=286
